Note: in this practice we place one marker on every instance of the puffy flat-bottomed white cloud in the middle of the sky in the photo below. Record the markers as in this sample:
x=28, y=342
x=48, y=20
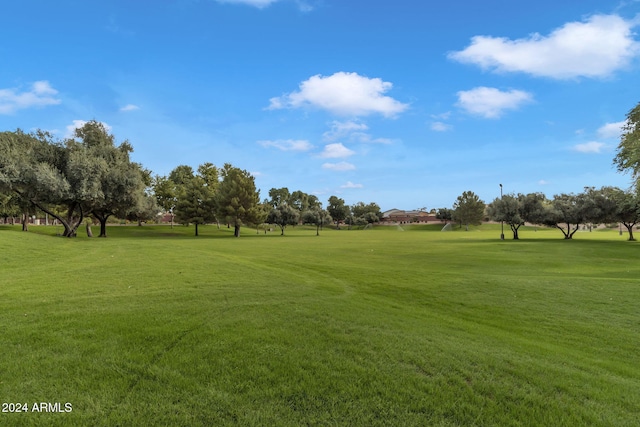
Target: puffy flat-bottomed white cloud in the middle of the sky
x=345, y=94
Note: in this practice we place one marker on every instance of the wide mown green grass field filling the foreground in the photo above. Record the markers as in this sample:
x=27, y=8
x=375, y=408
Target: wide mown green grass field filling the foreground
x=388, y=326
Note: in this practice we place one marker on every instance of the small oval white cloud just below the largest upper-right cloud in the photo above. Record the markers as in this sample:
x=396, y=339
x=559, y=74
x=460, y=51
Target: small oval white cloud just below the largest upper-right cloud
x=490, y=102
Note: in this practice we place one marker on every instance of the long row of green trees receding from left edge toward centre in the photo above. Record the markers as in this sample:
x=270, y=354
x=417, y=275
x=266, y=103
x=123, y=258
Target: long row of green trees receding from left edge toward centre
x=90, y=176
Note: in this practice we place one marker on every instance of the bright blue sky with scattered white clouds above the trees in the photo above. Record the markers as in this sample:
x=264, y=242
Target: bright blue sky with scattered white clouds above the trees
x=405, y=103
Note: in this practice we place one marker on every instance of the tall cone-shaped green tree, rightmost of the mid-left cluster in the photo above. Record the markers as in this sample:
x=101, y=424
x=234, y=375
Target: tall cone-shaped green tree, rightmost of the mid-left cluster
x=237, y=200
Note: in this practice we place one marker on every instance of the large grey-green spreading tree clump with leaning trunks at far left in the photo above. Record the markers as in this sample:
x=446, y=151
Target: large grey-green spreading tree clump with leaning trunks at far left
x=68, y=180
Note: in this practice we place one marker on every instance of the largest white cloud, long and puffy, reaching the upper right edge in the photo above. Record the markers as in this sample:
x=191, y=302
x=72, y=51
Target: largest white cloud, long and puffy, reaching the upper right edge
x=594, y=48
